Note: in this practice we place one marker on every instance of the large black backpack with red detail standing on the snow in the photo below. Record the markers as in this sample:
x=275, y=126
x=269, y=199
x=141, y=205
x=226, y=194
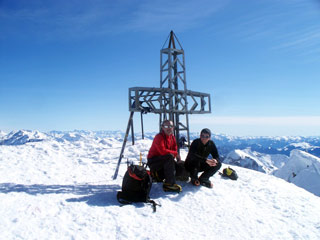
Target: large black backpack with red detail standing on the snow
x=136, y=186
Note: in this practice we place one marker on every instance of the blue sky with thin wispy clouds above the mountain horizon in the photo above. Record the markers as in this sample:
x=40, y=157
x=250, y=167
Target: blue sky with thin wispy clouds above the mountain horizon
x=67, y=65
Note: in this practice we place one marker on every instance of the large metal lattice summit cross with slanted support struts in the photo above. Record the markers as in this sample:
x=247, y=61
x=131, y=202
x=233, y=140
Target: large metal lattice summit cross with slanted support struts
x=171, y=100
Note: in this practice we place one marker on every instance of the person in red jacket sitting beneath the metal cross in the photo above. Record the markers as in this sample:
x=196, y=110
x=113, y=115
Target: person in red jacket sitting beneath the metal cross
x=162, y=155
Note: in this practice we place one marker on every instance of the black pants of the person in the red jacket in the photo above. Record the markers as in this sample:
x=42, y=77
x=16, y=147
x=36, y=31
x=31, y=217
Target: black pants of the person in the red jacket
x=166, y=164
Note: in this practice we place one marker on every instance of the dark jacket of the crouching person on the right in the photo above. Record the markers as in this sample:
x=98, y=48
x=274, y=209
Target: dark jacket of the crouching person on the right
x=201, y=152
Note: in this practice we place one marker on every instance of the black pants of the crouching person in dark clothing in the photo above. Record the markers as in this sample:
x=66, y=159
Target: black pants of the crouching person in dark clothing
x=196, y=165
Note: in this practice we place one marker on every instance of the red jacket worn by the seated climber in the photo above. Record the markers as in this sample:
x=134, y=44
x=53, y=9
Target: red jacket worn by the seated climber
x=162, y=145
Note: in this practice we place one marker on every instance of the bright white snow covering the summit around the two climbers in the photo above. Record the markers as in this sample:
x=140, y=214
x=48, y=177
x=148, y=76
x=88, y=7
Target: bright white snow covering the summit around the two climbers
x=62, y=188
